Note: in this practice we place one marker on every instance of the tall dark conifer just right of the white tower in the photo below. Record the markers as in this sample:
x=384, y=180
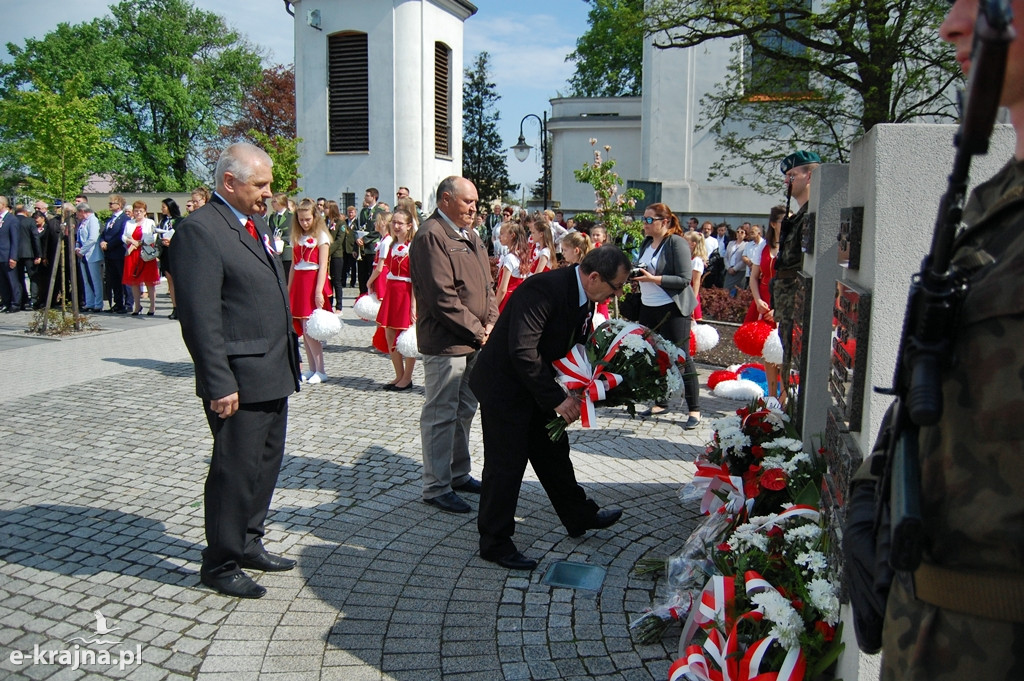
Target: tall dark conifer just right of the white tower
x=484, y=159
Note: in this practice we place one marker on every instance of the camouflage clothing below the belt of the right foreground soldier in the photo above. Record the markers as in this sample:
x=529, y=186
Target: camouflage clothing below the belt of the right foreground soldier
x=922, y=643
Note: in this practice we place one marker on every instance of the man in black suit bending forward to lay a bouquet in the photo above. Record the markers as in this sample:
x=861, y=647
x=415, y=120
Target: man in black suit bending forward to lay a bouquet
x=516, y=384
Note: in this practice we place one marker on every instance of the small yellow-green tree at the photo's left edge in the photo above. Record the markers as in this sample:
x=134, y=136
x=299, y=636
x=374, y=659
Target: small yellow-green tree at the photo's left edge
x=56, y=138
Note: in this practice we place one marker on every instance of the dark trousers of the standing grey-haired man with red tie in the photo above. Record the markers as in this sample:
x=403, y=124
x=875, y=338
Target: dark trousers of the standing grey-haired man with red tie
x=248, y=449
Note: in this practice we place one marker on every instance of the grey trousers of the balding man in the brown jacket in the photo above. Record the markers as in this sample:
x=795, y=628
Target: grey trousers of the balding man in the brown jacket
x=445, y=422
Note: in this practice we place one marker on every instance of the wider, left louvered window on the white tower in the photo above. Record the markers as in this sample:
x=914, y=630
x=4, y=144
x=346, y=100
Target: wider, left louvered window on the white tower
x=349, y=93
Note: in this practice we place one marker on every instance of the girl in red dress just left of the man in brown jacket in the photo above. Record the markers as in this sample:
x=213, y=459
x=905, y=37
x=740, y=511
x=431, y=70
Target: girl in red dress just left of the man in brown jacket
x=398, y=311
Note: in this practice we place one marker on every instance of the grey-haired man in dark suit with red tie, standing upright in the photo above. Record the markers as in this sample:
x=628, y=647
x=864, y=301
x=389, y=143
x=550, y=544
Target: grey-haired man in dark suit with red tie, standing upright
x=233, y=306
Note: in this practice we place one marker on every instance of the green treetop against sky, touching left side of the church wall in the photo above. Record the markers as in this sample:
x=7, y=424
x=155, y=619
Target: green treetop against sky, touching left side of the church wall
x=610, y=56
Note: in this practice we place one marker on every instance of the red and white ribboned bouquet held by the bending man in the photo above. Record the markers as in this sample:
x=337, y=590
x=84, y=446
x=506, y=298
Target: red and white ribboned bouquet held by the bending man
x=621, y=363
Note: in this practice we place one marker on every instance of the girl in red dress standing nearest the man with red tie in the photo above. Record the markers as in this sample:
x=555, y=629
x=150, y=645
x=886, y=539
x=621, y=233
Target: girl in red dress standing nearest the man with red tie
x=309, y=287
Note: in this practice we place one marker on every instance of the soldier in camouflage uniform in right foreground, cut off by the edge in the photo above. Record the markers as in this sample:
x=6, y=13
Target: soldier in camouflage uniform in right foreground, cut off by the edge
x=961, y=615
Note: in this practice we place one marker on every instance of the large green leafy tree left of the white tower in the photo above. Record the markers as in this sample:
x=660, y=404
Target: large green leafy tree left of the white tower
x=170, y=75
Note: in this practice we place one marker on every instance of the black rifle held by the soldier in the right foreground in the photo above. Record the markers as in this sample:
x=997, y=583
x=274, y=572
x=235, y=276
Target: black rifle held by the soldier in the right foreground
x=934, y=296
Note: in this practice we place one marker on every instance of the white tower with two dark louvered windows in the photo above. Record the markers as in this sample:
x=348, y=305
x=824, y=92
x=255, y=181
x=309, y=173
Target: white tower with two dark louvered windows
x=378, y=96
